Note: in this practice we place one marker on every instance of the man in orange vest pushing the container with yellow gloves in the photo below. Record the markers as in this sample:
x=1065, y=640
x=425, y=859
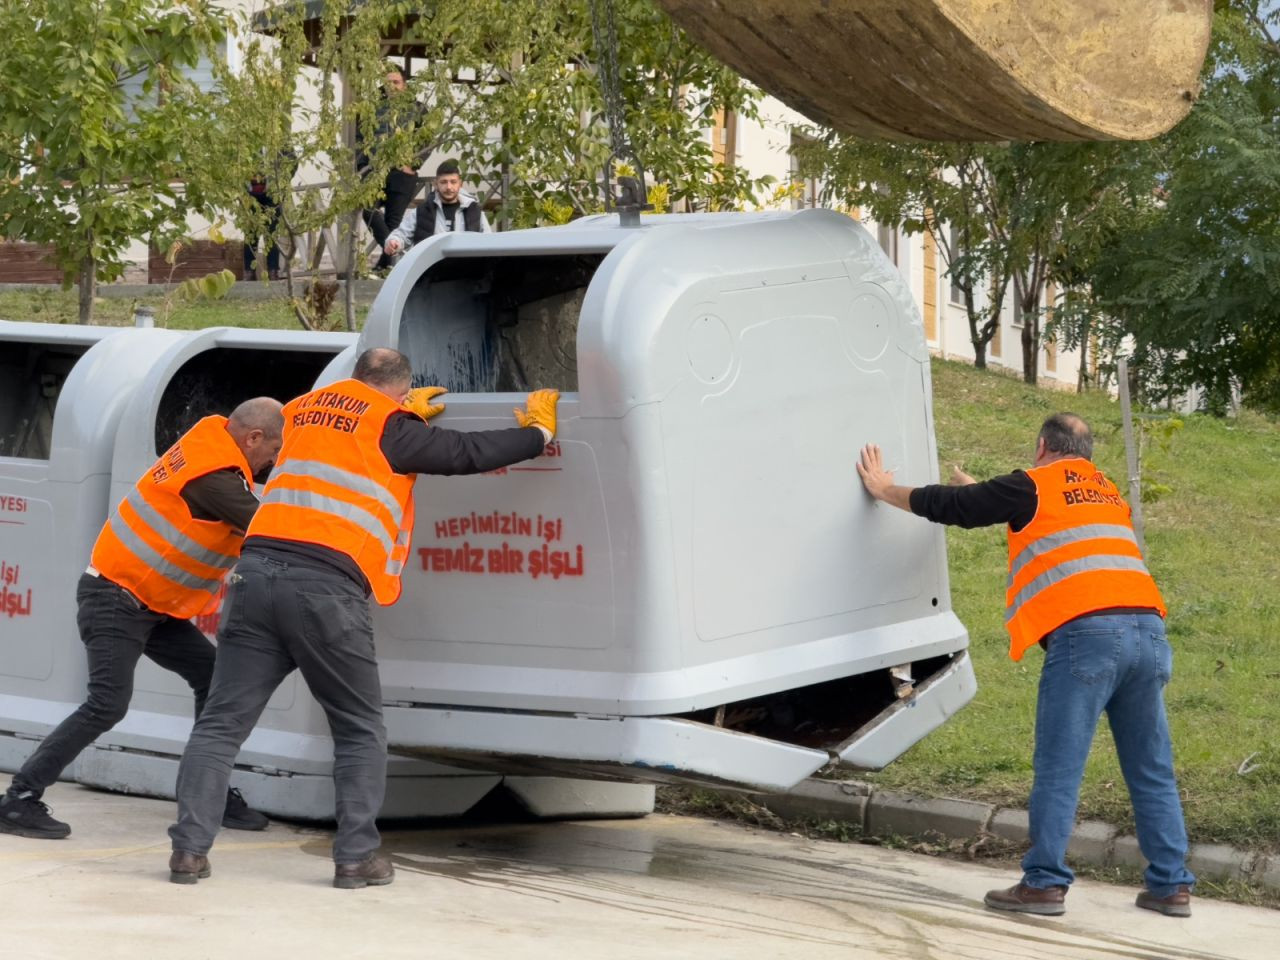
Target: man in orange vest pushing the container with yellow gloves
x=336, y=528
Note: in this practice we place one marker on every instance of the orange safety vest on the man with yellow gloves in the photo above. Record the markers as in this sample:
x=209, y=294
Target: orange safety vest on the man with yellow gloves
x=332, y=486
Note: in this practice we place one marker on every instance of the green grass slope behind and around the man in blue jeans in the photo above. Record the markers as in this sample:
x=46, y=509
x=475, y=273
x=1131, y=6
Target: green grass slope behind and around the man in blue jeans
x=1213, y=545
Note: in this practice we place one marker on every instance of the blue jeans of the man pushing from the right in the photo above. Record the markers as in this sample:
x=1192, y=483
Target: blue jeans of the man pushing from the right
x=1119, y=665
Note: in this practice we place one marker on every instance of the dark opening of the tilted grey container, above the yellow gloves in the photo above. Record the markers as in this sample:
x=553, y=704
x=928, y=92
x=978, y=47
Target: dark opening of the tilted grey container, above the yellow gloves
x=497, y=324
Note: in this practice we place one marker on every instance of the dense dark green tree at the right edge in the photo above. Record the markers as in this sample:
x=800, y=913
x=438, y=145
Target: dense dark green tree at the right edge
x=1191, y=273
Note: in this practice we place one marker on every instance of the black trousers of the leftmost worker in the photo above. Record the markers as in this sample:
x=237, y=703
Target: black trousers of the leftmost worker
x=117, y=630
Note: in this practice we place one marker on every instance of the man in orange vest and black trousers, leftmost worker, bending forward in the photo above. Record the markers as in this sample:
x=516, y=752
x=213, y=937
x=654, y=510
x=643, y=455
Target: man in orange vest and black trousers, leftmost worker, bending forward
x=158, y=563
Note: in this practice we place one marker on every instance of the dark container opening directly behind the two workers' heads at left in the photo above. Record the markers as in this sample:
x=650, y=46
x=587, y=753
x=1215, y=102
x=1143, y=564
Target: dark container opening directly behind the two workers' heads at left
x=218, y=380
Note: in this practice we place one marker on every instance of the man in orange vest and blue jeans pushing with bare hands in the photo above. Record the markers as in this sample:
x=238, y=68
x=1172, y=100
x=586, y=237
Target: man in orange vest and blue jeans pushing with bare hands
x=1080, y=589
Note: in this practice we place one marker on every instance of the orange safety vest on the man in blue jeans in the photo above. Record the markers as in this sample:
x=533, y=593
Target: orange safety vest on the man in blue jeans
x=1077, y=556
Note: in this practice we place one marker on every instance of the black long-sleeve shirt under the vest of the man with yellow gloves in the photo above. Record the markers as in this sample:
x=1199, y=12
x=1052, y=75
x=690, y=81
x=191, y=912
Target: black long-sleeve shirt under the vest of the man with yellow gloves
x=414, y=447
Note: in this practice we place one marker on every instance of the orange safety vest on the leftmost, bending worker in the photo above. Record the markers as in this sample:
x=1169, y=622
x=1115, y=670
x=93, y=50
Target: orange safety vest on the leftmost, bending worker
x=154, y=548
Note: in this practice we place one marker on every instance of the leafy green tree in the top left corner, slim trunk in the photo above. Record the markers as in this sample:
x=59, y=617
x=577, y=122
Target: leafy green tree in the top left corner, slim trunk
x=97, y=113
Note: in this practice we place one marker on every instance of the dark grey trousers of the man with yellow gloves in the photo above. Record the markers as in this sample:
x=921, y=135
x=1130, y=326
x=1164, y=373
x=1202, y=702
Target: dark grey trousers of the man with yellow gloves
x=278, y=618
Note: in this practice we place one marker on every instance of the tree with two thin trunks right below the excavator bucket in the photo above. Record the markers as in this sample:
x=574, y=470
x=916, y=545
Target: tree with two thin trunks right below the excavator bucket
x=1002, y=214
